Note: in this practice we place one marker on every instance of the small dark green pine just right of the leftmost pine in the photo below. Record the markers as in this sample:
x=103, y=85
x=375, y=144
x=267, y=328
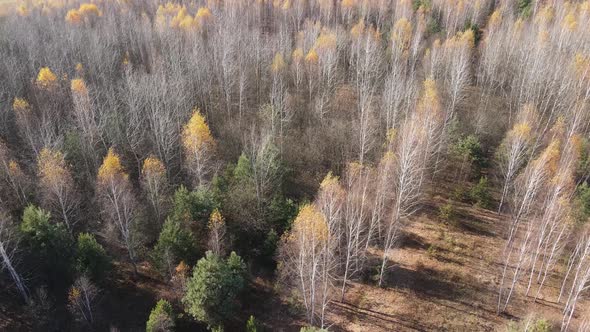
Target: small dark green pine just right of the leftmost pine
x=91, y=258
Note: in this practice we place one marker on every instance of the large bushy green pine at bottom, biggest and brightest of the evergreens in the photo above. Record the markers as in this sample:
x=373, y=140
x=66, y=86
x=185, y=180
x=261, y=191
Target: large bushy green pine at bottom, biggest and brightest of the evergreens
x=213, y=289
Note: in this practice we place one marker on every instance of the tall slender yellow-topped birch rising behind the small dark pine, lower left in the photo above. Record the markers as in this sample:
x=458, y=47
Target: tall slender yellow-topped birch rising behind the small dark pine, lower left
x=118, y=203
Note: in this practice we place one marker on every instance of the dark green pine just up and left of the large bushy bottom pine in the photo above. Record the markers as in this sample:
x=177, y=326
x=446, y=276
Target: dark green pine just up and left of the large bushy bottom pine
x=175, y=243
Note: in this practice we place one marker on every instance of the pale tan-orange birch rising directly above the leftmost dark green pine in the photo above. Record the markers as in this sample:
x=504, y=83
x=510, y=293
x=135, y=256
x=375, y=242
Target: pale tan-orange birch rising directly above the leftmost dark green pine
x=57, y=186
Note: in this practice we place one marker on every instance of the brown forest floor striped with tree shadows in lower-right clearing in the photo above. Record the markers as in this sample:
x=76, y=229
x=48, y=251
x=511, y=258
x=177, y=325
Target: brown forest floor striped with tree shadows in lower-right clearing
x=443, y=277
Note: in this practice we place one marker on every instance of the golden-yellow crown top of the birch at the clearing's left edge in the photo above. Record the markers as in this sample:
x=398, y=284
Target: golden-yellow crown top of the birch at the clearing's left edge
x=311, y=224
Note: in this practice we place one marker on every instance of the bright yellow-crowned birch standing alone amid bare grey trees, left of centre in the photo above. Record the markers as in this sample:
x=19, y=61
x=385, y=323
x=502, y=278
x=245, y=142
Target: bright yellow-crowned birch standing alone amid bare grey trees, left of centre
x=199, y=146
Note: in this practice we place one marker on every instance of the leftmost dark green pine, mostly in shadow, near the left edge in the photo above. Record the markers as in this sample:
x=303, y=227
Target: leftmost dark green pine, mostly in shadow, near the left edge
x=49, y=245
